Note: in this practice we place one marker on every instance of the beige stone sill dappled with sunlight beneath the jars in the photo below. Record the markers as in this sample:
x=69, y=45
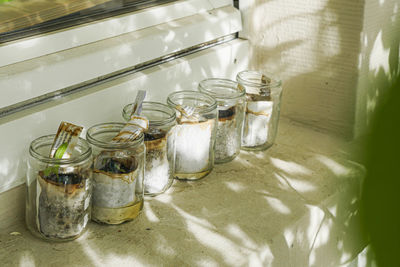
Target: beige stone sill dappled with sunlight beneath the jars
x=292, y=205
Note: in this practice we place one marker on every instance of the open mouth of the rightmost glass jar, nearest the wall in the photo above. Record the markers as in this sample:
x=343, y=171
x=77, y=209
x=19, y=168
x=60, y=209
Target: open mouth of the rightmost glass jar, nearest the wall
x=253, y=78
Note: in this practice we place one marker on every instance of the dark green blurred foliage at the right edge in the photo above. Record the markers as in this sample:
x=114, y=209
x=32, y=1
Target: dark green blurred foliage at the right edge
x=381, y=188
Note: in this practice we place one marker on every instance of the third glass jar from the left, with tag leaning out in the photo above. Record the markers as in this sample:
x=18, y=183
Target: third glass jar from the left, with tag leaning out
x=159, y=142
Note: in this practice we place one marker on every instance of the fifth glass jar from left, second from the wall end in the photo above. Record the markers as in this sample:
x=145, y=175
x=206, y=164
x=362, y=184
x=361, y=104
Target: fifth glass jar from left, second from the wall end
x=231, y=101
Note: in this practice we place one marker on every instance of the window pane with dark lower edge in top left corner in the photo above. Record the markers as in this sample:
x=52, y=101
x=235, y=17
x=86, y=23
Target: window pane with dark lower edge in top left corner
x=22, y=18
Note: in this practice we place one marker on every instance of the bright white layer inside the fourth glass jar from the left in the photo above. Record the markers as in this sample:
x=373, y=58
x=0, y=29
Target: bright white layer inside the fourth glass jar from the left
x=193, y=147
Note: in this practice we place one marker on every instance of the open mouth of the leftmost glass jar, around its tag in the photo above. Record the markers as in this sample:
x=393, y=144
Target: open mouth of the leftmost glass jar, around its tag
x=47, y=141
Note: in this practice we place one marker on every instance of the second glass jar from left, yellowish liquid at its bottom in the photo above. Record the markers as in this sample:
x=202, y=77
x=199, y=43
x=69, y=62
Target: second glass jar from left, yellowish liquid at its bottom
x=117, y=174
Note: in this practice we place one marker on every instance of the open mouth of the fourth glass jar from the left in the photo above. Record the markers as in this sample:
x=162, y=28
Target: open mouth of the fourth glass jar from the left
x=175, y=98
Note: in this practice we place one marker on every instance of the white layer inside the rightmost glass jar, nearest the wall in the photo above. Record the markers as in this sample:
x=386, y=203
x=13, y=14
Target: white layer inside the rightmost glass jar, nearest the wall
x=256, y=127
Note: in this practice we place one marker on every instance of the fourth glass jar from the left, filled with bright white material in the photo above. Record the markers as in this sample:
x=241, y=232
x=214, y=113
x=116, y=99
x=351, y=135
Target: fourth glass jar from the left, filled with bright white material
x=194, y=134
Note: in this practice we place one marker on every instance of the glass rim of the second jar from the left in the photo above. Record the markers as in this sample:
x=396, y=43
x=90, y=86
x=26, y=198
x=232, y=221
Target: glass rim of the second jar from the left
x=108, y=127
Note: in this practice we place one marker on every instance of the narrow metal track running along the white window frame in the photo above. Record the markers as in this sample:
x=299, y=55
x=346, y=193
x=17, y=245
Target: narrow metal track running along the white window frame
x=84, y=86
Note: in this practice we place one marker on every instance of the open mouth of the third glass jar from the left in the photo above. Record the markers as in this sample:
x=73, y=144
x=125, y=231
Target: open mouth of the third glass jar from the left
x=149, y=106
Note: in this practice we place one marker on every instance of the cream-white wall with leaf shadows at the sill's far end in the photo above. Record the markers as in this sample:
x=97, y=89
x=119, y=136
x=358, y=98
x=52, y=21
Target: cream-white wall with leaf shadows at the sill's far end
x=318, y=48
